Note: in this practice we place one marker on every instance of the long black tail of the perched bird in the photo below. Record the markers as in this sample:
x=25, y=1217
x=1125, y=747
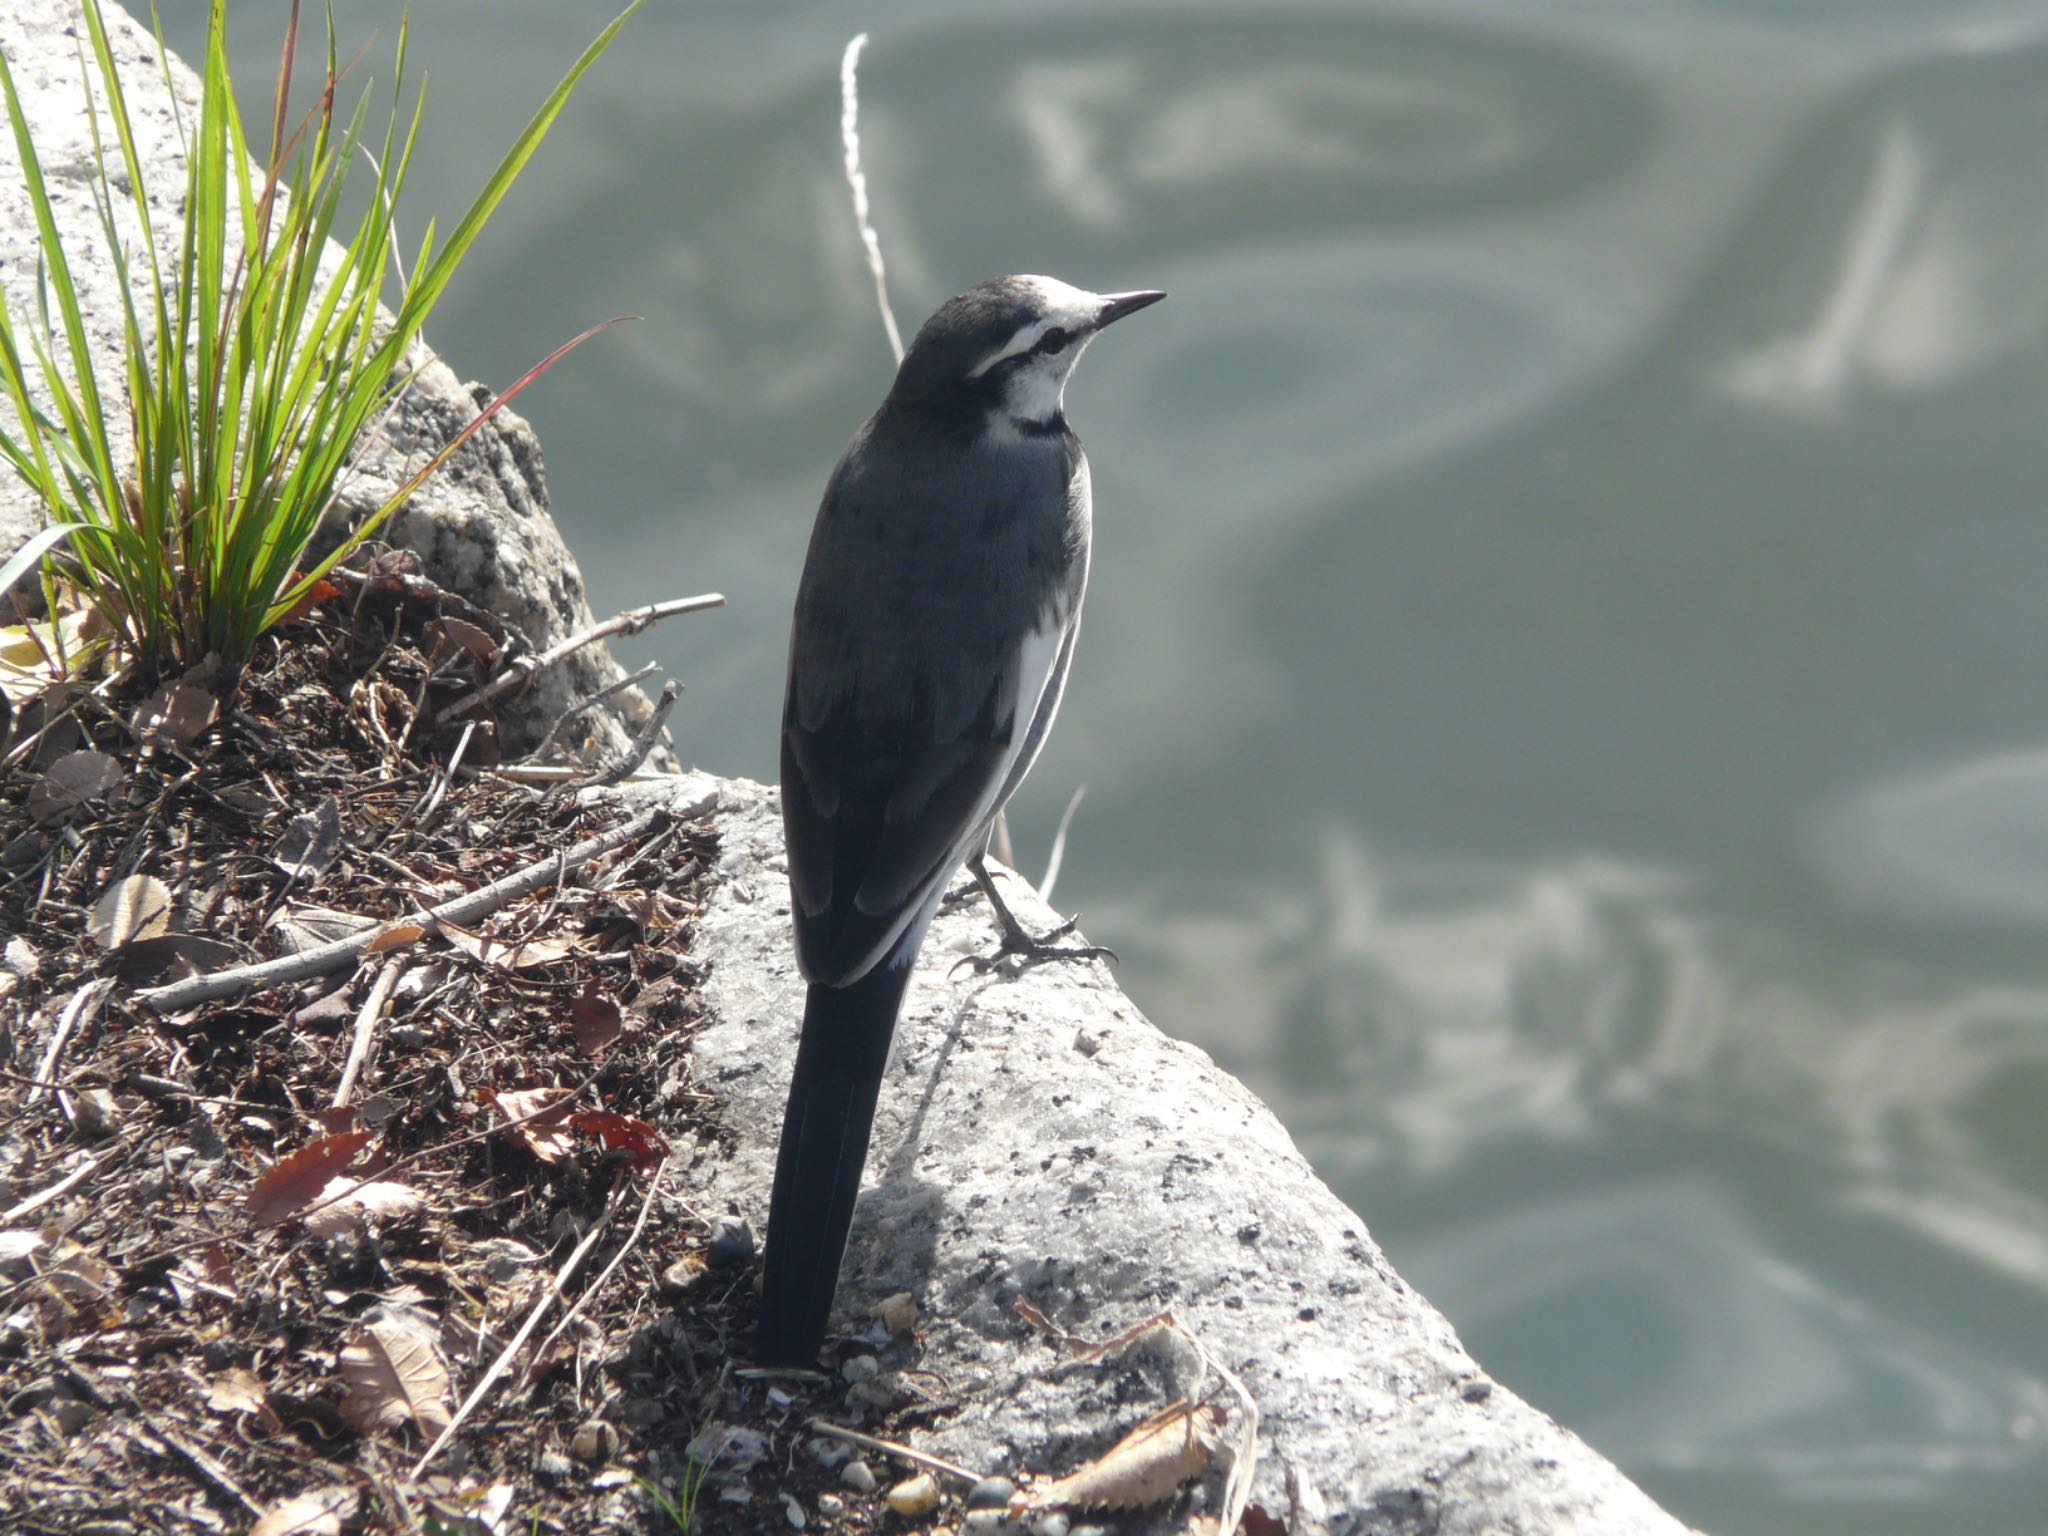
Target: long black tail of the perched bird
x=824, y=1146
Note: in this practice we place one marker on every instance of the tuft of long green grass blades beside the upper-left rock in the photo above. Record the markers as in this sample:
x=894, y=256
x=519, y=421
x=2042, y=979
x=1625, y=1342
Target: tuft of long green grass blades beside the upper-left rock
x=251, y=376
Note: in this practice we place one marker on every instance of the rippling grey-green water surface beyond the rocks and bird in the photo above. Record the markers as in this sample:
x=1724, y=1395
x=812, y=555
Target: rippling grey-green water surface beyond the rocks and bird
x=1566, y=669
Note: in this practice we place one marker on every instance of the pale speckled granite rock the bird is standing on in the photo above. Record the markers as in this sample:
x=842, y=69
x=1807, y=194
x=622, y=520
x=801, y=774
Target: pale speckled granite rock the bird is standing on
x=1041, y=1140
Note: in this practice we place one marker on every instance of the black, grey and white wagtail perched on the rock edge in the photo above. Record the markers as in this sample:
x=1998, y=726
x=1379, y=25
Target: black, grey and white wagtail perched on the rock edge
x=935, y=626
